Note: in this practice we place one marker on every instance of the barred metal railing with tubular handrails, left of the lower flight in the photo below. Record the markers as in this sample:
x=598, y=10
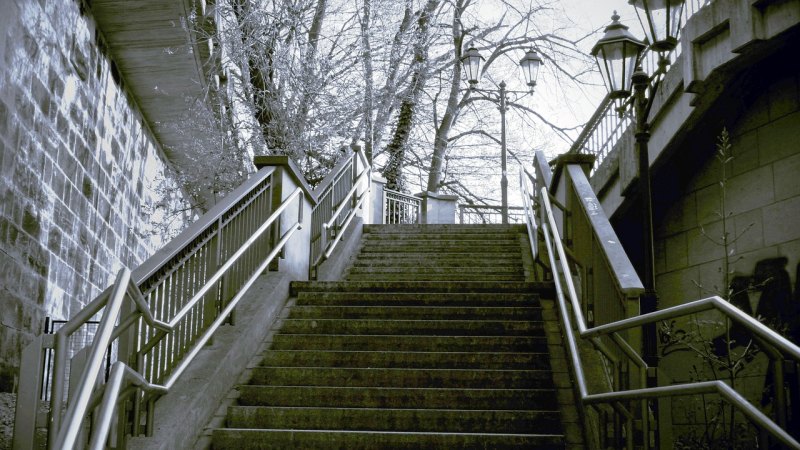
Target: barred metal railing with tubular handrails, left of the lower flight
x=159, y=317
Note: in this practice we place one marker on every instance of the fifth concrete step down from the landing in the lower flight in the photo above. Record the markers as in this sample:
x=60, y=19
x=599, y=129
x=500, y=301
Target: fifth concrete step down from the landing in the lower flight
x=410, y=343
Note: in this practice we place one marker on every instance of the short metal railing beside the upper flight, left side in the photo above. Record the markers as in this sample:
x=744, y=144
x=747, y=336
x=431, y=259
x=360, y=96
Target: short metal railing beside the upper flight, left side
x=340, y=195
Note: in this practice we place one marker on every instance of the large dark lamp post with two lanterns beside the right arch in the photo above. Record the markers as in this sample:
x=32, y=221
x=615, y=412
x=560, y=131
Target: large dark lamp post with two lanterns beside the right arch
x=618, y=54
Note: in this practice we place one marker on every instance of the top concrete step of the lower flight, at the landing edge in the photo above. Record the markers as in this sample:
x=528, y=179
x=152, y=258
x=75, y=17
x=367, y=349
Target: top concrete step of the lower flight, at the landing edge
x=421, y=286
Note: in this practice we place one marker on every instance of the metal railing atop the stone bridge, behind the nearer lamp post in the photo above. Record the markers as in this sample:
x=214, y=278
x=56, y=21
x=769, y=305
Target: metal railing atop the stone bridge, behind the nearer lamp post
x=611, y=121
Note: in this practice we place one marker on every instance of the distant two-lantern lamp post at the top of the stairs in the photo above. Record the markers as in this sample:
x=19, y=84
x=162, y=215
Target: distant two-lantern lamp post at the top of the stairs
x=530, y=63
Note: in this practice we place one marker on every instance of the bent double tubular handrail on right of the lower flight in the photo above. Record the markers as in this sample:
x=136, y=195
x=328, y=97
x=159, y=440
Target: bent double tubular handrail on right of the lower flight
x=555, y=247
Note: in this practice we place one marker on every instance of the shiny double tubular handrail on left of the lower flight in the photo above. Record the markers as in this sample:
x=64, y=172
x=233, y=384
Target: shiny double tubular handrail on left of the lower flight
x=78, y=406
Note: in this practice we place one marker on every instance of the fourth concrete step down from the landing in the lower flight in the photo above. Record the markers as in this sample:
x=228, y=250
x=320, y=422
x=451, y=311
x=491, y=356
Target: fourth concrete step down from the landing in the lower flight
x=417, y=327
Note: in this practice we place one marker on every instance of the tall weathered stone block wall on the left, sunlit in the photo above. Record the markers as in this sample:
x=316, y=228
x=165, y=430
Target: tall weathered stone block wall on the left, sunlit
x=79, y=170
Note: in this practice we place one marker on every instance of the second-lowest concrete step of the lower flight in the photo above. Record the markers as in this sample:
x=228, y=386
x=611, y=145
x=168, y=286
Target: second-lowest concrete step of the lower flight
x=386, y=419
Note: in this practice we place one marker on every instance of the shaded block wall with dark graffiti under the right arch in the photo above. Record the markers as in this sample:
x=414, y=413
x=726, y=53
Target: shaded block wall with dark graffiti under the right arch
x=762, y=209
